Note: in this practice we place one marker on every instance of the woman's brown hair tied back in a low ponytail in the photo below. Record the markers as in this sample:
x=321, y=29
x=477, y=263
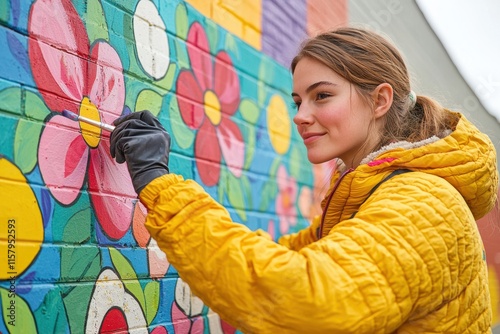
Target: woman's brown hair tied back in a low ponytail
x=366, y=60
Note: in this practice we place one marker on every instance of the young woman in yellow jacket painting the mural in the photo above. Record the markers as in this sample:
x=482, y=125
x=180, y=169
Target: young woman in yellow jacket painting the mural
x=397, y=248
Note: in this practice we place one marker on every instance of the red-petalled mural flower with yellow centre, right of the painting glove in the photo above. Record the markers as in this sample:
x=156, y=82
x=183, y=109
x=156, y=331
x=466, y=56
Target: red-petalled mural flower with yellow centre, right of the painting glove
x=208, y=96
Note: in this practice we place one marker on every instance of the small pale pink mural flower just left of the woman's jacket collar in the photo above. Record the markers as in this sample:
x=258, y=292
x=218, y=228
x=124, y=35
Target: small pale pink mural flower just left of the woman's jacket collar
x=285, y=201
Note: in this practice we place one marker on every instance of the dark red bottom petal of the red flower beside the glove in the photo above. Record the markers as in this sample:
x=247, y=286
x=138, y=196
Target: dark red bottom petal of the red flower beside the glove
x=207, y=152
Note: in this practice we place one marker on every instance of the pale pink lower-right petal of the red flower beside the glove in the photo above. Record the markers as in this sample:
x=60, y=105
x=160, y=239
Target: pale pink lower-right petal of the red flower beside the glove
x=232, y=145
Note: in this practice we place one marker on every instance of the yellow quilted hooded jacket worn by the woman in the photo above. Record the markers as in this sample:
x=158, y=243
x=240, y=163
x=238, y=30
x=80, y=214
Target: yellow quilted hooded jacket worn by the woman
x=406, y=258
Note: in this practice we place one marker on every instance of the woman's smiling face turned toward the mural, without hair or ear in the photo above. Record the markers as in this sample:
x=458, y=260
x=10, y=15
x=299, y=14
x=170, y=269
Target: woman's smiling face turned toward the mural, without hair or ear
x=333, y=120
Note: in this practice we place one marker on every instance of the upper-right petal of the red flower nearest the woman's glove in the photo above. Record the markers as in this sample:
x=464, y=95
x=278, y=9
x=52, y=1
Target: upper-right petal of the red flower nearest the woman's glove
x=227, y=84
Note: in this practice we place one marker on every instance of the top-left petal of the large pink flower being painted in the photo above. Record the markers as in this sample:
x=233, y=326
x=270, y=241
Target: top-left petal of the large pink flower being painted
x=58, y=48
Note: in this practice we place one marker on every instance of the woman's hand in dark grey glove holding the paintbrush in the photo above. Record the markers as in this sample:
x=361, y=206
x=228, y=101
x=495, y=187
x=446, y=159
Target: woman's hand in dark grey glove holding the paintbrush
x=141, y=141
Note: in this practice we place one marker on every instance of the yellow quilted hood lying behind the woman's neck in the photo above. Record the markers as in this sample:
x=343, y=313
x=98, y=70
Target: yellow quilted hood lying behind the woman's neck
x=465, y=157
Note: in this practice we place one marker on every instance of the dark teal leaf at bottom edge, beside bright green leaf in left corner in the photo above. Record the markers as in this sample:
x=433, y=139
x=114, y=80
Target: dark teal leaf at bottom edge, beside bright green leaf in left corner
x=51, y=315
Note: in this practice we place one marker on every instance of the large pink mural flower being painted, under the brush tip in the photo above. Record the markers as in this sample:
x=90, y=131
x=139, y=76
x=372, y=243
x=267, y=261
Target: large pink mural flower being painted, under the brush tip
x=87, y=80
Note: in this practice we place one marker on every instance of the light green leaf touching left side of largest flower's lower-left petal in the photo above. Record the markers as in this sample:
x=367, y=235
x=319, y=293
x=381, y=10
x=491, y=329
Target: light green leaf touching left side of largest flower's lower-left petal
x=26, y=141
